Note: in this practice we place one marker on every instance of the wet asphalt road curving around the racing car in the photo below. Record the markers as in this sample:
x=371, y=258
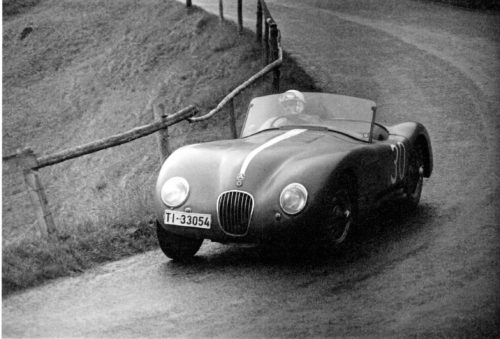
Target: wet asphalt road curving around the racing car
x=435, y=272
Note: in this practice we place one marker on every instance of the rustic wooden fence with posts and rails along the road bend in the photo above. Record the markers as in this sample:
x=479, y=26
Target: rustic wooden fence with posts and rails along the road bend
x=30, y=163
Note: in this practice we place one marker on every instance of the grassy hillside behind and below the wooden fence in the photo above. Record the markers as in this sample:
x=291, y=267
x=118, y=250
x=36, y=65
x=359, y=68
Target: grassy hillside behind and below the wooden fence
x=75, y=71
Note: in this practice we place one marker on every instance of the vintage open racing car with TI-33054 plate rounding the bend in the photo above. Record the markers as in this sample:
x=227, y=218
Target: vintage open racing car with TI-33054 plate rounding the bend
x=306, y=165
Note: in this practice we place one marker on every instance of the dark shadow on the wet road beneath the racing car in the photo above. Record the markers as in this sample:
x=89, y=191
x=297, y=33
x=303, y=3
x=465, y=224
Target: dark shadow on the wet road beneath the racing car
x=387, y=229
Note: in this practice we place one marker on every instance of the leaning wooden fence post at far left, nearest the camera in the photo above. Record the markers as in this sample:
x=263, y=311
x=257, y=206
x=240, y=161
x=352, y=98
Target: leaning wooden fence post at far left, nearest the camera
x=37, y=193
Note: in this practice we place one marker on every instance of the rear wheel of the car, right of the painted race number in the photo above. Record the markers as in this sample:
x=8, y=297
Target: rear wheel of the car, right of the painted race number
x=415, y=178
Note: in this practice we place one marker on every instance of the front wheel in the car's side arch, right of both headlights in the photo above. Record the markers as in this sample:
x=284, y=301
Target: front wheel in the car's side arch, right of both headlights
x=341, y=214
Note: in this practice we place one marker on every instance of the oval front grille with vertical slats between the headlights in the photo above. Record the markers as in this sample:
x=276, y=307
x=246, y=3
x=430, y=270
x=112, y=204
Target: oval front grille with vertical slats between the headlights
x=234, y=210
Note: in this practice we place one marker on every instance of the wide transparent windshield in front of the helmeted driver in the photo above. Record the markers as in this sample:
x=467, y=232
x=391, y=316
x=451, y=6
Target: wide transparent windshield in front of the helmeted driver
x=344, y=114
